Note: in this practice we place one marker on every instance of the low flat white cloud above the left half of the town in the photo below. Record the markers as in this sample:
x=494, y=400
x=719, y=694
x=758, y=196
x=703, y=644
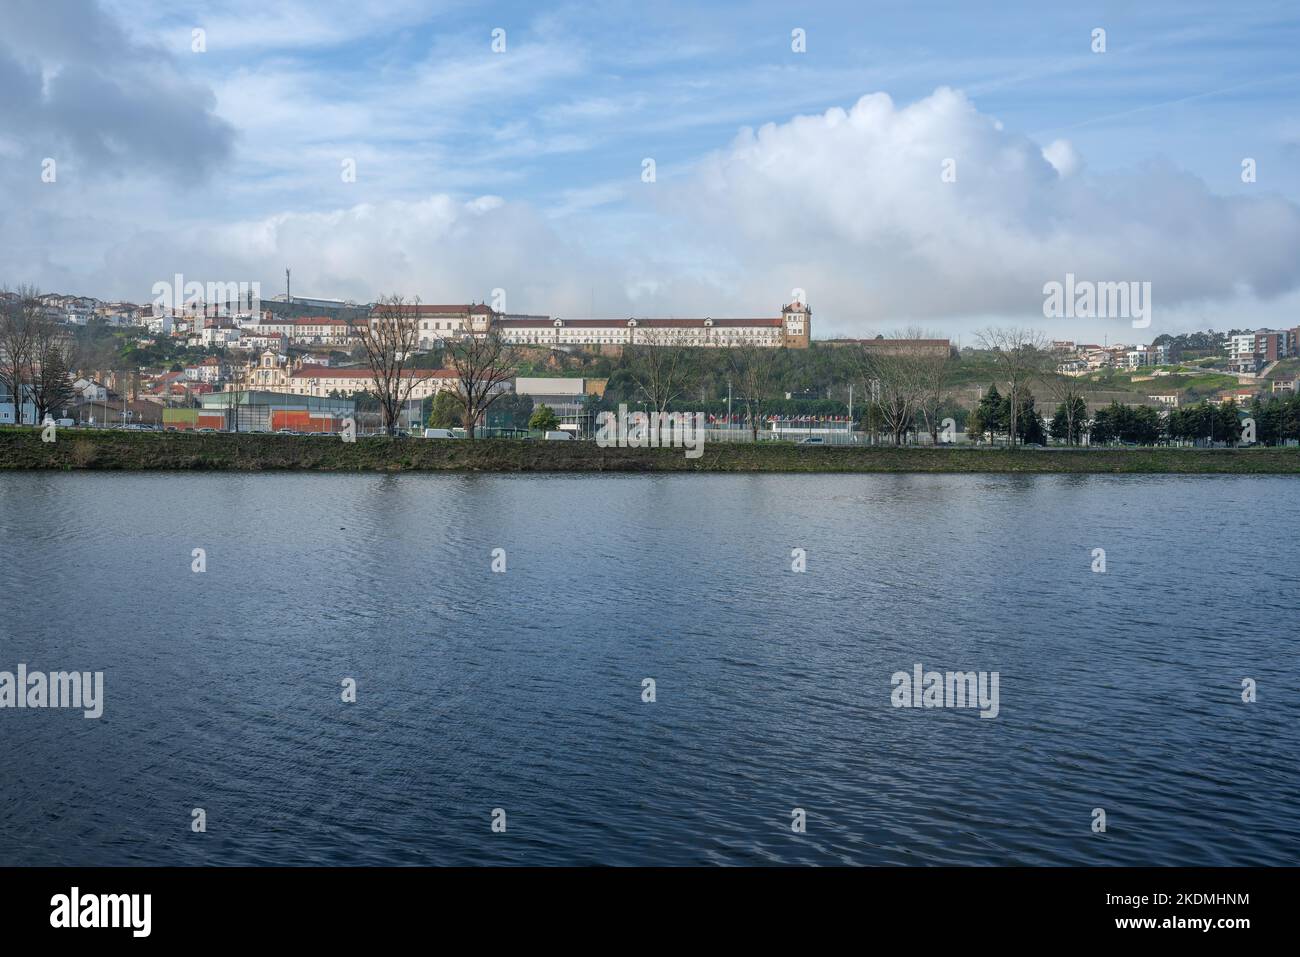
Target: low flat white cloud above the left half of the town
x=437, y=248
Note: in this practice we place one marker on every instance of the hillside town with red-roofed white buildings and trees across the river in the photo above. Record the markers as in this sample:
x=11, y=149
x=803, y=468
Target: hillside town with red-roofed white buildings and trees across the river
x=302, y=365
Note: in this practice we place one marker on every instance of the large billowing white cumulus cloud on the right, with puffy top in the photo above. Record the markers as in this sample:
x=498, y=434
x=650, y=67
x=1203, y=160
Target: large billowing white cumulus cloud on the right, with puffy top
x=852, y=206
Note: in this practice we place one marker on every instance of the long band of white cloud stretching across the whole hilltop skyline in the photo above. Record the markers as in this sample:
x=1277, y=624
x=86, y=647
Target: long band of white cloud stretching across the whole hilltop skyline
x=851, y=206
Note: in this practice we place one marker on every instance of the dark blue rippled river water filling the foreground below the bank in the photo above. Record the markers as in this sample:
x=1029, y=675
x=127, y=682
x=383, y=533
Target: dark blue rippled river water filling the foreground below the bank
x=523, y=690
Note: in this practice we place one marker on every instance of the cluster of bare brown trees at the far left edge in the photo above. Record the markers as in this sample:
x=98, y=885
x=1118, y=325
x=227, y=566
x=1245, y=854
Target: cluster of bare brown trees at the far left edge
x=37, y=361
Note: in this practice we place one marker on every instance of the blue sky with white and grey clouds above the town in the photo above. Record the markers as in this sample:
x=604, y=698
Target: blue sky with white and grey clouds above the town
x=926, y=166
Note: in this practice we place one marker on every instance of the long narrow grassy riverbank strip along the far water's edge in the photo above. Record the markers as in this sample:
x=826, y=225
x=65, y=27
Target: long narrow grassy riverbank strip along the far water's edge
x=110, y=451
